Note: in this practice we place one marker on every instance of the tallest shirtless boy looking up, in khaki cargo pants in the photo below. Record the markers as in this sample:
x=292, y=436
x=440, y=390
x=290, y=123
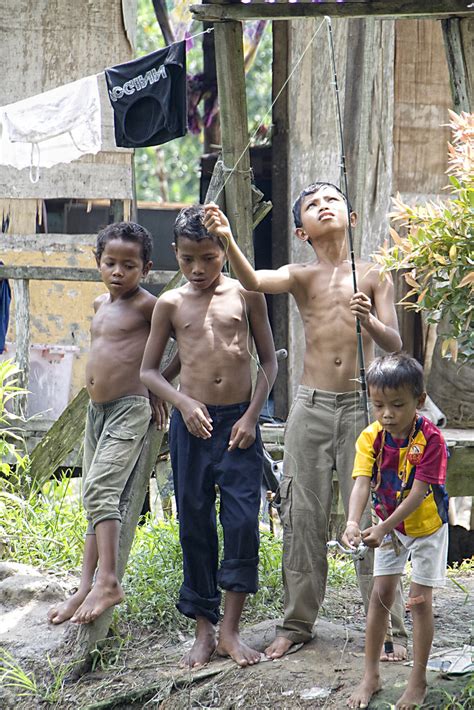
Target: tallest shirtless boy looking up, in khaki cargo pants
x=326, y=416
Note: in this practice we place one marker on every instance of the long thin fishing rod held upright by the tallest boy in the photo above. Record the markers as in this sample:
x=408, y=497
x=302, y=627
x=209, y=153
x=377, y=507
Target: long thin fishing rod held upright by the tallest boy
x=360, y=349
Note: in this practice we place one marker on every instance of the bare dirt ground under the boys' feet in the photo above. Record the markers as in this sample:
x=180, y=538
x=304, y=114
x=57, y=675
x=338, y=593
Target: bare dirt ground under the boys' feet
x=143, y=671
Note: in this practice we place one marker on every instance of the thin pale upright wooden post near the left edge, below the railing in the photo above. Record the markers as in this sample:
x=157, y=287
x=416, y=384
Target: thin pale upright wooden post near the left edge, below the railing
x=21, y=292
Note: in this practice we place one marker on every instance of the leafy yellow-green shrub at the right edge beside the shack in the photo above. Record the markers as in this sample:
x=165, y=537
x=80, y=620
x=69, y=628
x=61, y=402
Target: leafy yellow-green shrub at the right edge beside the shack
x=438, y=249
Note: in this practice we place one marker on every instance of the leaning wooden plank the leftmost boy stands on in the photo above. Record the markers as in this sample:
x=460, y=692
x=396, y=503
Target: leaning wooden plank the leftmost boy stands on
x=88, y=635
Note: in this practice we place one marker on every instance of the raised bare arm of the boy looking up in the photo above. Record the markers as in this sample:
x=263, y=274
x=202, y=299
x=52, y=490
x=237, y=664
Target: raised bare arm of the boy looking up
x=263, y=280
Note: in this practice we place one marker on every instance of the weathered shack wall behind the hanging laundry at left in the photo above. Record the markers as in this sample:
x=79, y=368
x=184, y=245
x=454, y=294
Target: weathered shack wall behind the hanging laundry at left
x=45, y=45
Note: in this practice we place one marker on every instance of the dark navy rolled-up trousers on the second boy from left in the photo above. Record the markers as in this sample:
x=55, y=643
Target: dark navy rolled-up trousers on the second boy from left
x=199, y=465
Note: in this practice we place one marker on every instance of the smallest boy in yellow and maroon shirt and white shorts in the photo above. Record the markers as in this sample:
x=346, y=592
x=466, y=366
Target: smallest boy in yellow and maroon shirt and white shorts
x=401, y=458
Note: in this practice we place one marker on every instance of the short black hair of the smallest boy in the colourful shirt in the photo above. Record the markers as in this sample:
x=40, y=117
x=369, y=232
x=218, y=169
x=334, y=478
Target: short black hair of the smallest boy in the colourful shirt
x=395, y=371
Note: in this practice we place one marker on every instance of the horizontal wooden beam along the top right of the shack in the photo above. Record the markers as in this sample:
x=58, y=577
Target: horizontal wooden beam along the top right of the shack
x=306, y=8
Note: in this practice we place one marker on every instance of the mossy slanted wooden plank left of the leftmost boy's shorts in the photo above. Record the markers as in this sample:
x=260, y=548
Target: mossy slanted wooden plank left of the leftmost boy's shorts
x=63, y=437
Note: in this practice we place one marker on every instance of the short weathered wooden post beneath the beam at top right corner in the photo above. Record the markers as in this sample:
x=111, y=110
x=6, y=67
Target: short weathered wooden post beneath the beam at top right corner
x=458, y=40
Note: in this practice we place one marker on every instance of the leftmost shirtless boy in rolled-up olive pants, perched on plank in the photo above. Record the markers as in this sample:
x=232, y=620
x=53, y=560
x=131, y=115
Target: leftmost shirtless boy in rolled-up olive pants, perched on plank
x=118, y=414
